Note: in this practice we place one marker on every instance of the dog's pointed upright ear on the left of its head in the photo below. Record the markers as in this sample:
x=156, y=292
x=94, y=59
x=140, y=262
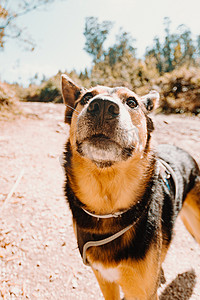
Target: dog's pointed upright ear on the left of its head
x=70, y=92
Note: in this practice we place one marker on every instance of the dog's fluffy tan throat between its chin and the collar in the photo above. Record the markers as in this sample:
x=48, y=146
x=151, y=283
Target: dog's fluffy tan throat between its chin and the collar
x=112, y=189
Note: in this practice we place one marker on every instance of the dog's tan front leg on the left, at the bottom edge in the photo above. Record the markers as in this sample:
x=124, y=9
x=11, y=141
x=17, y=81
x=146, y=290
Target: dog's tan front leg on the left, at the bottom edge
x=109, y=289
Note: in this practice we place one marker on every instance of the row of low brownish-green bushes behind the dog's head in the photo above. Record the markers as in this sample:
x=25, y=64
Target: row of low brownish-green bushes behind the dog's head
x=179, y=89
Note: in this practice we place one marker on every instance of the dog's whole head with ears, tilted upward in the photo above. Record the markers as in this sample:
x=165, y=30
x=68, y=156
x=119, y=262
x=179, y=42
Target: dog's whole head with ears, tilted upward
x=108, y=125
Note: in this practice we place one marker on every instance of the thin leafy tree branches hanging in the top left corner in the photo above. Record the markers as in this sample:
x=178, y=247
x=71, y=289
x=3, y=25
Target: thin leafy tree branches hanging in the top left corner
x=10, y=12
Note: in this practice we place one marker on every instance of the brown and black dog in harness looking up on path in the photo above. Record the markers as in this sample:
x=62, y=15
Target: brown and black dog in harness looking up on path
x=124, y=195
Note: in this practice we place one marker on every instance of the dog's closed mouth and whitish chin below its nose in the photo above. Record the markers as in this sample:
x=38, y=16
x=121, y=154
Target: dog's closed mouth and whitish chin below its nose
x=102, y=150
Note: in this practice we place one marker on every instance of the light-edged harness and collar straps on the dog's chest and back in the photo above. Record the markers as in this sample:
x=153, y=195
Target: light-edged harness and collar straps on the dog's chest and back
x=166, y=173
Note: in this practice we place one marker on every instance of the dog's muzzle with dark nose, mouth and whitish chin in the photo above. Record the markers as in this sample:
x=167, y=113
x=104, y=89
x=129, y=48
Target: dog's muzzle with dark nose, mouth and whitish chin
x=105, y=133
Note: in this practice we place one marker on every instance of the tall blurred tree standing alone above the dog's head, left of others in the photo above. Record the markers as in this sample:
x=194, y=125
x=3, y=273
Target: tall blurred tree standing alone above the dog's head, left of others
x=96, y=34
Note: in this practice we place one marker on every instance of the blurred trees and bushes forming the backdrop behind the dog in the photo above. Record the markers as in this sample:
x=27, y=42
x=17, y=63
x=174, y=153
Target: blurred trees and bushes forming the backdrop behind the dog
x=171, y=67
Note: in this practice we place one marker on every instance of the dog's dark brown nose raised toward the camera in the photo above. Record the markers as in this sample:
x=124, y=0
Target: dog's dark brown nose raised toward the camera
x=105, y=108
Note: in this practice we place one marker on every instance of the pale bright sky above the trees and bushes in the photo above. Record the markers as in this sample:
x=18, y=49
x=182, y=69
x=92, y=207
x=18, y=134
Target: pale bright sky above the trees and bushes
x=57, y=30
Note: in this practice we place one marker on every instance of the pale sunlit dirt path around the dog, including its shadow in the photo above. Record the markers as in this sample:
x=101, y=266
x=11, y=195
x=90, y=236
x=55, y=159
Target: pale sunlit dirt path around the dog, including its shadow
x=38, y=252
